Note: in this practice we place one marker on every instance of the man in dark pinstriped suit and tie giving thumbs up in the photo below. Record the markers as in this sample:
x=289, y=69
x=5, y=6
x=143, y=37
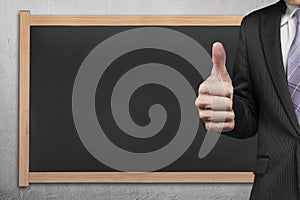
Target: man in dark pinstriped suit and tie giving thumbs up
x=262, y=95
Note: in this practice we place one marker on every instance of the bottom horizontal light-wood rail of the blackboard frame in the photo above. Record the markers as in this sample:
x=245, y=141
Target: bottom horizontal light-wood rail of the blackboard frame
x=141, y=177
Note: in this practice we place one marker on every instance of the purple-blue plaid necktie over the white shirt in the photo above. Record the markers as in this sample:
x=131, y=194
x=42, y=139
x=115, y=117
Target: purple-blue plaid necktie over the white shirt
x=293, y=69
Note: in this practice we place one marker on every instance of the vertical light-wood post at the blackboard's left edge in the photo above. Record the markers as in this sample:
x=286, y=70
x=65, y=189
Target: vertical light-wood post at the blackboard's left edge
x=24, y=98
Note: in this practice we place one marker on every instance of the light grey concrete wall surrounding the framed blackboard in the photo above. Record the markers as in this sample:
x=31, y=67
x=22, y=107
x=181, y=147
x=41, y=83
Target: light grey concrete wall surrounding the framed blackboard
x=9, y=44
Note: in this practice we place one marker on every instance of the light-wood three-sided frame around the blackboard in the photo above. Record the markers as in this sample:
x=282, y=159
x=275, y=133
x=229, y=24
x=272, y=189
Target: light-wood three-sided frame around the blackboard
x=26, y=177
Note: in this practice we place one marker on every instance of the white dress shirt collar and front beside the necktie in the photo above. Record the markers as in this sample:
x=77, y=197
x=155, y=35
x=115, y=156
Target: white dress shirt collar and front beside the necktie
x=288, y=28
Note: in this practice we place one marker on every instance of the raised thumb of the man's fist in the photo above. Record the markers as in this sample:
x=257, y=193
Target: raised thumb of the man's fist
x=219, y=60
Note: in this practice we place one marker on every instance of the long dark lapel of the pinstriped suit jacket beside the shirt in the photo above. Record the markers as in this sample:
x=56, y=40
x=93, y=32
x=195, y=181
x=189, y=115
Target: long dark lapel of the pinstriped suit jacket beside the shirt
x=270, y=37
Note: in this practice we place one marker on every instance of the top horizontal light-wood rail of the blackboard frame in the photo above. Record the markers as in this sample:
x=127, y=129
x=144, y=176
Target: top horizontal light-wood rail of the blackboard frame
x=112, y=20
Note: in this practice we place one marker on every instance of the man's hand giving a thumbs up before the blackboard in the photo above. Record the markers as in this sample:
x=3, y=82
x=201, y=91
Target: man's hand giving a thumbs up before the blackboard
x=214, y=101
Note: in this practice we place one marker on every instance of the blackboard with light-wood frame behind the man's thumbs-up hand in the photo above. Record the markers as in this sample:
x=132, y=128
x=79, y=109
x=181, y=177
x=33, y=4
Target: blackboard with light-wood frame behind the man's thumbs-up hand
x=69, y=100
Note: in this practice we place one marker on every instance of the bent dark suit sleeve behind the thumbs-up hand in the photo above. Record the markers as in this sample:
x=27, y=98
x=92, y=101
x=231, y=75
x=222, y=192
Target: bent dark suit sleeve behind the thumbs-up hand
x=244, y=100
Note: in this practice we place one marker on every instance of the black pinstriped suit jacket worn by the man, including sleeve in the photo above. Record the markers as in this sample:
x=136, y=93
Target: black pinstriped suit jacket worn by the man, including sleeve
x=263, y=105
